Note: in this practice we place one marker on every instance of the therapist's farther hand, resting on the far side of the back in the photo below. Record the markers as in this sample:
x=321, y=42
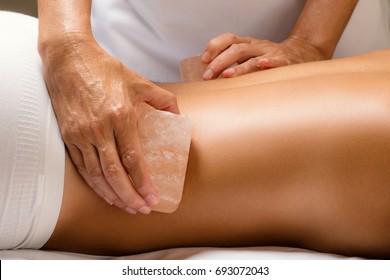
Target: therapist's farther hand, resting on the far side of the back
x=230, y=55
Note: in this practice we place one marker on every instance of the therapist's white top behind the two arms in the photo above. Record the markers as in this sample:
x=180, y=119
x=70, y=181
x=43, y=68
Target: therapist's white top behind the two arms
x=152, y=36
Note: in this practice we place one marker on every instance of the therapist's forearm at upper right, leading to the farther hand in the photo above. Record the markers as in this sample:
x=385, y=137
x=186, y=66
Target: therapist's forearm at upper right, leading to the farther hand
x=322, y=23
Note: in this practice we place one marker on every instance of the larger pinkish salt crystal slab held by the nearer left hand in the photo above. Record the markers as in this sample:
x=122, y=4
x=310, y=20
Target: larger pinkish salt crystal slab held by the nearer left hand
x=165, y=140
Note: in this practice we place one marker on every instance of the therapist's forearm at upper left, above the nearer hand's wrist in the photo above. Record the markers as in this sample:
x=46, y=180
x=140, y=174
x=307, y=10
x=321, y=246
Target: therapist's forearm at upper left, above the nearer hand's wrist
x=60, y=20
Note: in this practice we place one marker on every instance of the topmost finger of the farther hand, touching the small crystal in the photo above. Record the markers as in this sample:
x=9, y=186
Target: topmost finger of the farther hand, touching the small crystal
x=220, y=43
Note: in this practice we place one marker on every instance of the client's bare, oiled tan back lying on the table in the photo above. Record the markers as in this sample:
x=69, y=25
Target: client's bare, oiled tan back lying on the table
x=296, y=156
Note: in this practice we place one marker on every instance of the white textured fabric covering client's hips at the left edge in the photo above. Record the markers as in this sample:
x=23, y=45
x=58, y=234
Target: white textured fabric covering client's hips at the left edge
x=32, y=153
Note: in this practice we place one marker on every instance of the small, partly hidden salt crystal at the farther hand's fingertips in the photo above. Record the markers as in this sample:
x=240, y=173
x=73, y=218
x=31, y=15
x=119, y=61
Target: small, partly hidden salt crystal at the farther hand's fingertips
x=192, y=69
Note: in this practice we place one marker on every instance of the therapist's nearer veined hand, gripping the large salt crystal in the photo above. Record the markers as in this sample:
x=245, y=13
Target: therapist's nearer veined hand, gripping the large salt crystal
x=94, y=96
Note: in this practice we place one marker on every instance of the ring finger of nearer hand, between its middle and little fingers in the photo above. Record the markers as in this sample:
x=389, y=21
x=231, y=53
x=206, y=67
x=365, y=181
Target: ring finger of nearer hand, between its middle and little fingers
x=97, y=180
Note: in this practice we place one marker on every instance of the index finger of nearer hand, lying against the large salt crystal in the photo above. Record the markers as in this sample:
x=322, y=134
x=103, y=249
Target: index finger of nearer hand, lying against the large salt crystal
x=133, y=160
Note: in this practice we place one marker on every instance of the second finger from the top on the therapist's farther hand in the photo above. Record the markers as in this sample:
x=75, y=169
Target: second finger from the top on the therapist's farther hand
x=236, y=53
